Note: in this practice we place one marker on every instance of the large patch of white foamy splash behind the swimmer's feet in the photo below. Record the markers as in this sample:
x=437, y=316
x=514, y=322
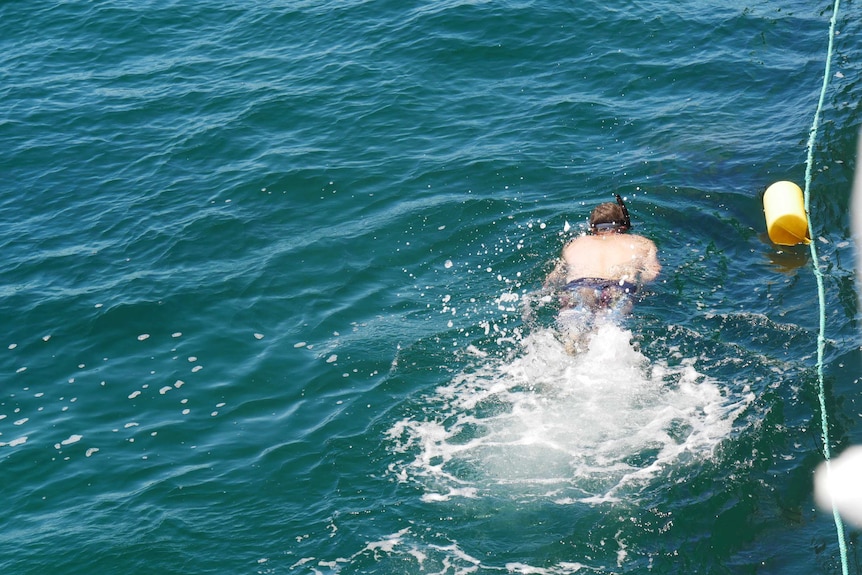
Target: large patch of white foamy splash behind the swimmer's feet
x=592, y=427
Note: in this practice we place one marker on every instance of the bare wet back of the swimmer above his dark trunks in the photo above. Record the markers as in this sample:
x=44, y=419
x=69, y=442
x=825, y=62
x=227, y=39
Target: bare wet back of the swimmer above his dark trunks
x=624, y=257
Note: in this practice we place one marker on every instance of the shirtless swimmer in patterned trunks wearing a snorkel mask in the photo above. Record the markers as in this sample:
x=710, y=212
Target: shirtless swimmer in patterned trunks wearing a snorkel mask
x=600, y=273
